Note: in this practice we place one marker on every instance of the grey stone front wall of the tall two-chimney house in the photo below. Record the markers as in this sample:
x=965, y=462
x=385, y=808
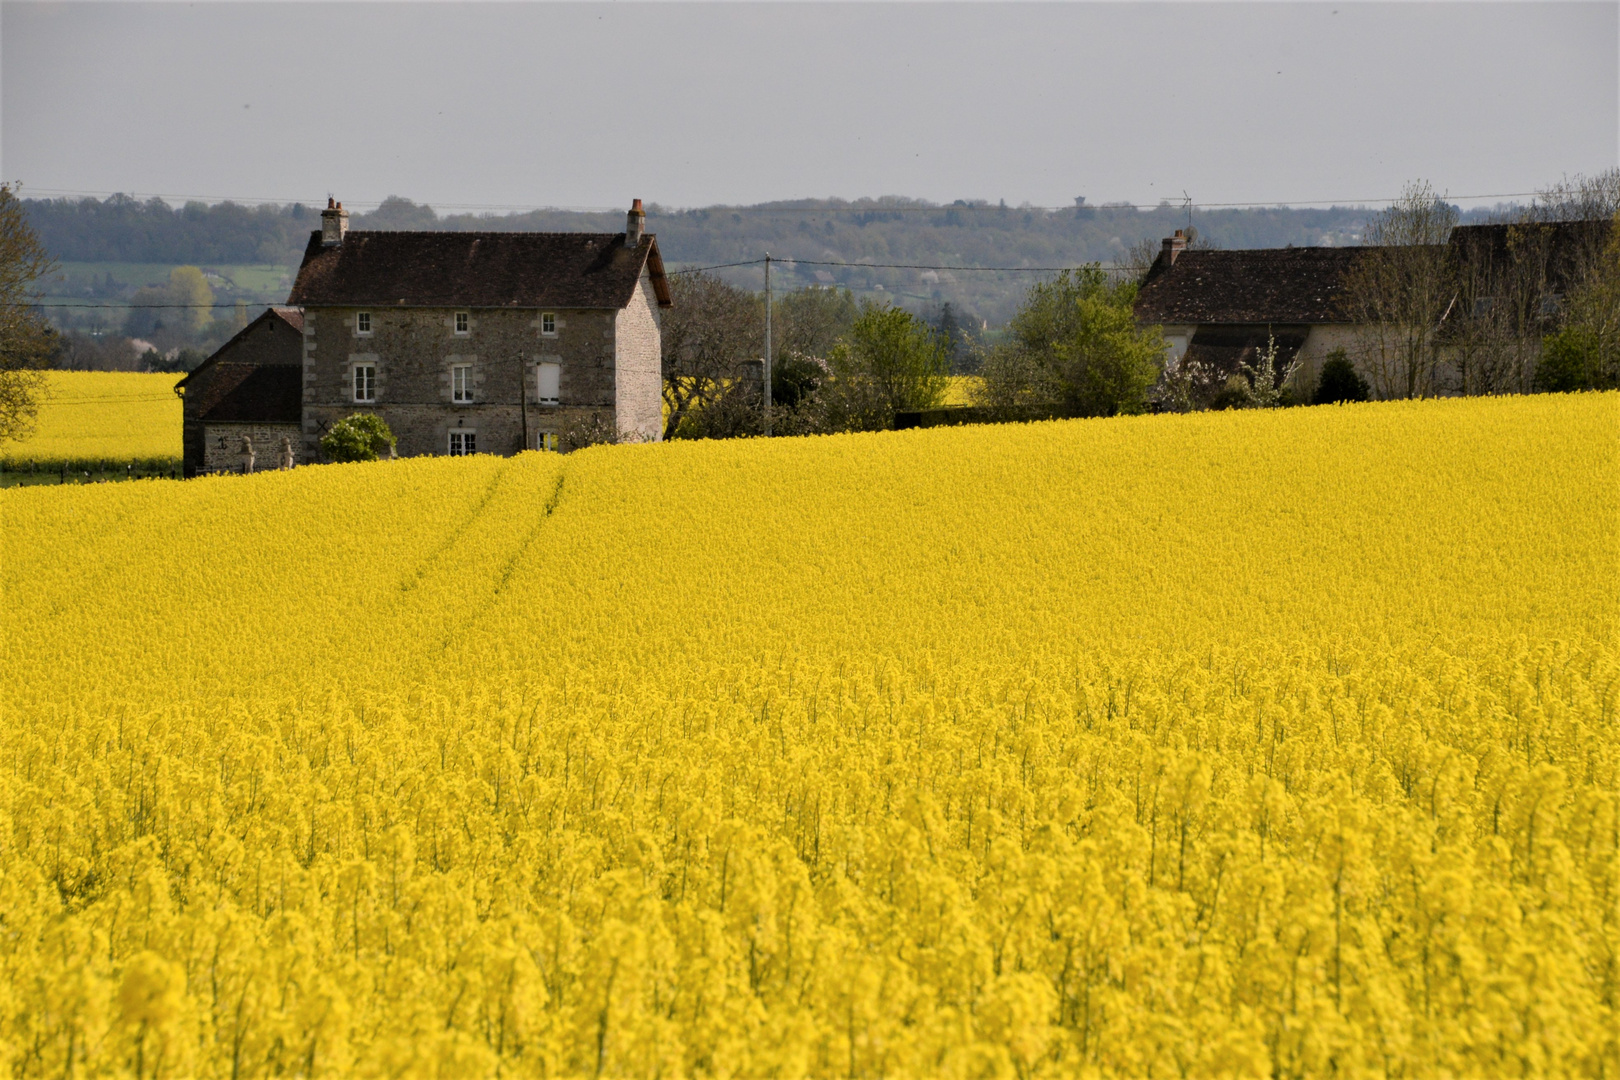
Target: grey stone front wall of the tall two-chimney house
x=416, y=349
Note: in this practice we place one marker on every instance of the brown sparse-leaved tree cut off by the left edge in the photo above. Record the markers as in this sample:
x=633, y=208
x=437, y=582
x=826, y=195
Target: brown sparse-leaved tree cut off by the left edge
x=27, y=341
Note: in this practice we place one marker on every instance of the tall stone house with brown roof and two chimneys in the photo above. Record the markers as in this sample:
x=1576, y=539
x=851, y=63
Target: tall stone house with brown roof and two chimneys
x=482, y=342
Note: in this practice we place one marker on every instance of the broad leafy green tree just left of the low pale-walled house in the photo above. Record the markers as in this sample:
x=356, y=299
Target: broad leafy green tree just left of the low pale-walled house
x=1076, y=342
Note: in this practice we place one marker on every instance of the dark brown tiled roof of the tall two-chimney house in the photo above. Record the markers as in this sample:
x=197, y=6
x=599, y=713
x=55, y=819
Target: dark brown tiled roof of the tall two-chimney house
x=427, y=270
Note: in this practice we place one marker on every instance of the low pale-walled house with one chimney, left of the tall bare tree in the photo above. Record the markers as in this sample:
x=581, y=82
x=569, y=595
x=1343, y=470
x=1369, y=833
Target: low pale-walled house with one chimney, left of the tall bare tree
x=1222, y=308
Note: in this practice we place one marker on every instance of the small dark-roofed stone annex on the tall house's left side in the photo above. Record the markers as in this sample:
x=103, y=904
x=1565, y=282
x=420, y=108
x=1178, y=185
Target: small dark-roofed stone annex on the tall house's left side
x=252, y=388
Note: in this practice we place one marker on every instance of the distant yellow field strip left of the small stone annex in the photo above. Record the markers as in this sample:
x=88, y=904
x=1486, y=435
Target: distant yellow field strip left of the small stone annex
x=114, y=417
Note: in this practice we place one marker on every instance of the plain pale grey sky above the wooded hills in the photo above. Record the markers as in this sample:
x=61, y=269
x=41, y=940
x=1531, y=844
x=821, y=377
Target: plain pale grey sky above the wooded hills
x=506, y=106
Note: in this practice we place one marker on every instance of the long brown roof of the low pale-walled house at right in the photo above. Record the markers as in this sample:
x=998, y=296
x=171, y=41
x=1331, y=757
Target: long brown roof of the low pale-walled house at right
x=1269, y=286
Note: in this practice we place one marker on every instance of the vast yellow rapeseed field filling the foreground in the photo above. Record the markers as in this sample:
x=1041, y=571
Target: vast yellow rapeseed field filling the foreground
x=1221, y=746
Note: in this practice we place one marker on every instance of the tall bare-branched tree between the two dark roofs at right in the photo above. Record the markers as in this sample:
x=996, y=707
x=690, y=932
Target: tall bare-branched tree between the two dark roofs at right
x=1400, y=291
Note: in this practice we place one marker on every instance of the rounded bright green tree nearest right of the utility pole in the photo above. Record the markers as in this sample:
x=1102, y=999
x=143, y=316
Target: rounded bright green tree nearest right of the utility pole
x=893, y=362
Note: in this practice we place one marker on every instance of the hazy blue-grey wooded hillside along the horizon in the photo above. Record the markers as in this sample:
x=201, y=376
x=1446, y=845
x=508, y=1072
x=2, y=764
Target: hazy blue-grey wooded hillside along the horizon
x=890, y=231
